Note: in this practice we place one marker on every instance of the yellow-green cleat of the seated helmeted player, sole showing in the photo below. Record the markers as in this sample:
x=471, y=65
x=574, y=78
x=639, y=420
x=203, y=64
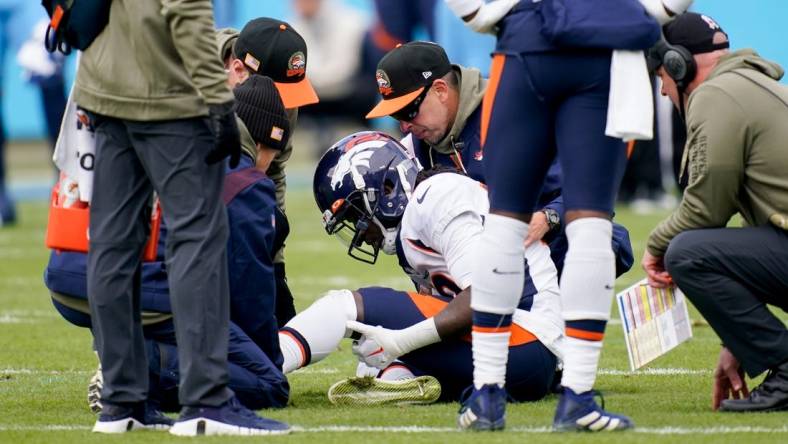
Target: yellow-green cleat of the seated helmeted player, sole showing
x=368, y=390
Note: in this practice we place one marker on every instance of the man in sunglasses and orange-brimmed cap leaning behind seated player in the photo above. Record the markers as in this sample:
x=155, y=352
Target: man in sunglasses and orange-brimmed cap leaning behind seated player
x=440, y=104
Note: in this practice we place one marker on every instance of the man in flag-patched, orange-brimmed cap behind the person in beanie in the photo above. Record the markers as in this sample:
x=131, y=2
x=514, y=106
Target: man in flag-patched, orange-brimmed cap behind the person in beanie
x=274, y=49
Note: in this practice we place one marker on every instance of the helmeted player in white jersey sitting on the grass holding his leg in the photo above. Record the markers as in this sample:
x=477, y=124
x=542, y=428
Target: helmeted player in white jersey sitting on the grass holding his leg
x=373, y=196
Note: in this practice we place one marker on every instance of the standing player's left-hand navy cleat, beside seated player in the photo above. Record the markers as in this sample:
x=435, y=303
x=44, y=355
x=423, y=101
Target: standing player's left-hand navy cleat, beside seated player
x=484, y=409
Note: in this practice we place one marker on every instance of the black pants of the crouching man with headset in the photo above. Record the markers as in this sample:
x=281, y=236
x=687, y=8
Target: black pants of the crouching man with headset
x=730, y=275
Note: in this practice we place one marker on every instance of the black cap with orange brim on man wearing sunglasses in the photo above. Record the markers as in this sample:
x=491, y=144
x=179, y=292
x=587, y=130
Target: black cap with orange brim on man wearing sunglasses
x=405, y=72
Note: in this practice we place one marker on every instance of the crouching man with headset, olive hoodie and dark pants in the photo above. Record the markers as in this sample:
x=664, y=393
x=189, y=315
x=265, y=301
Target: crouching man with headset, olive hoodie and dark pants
x=734, y=162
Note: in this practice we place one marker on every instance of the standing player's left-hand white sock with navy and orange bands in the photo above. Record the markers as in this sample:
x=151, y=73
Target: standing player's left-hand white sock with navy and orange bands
x=496, y=287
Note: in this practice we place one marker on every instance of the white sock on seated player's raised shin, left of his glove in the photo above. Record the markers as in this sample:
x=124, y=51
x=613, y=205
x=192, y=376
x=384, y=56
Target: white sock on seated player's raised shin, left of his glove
x=321, y=327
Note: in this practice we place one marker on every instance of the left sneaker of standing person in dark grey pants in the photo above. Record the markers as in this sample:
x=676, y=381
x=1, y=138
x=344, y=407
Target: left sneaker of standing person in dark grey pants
x=116, y=418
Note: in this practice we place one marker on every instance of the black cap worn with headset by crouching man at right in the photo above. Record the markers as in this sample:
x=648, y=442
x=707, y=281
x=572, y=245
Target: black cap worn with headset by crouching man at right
x=695, y=32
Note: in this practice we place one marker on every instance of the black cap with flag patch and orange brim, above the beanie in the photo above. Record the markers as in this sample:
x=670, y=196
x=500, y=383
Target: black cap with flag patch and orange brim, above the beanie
x=274, y=49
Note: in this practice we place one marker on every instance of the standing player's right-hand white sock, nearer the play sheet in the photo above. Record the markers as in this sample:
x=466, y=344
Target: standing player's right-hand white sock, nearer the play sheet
x=586, y=294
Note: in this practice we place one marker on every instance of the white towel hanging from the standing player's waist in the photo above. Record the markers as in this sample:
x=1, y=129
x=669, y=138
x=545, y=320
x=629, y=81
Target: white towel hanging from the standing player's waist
x=630, y=109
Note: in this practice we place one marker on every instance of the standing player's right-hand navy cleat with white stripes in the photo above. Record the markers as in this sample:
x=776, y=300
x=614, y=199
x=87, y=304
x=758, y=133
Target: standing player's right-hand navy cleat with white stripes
x=580, y=412
